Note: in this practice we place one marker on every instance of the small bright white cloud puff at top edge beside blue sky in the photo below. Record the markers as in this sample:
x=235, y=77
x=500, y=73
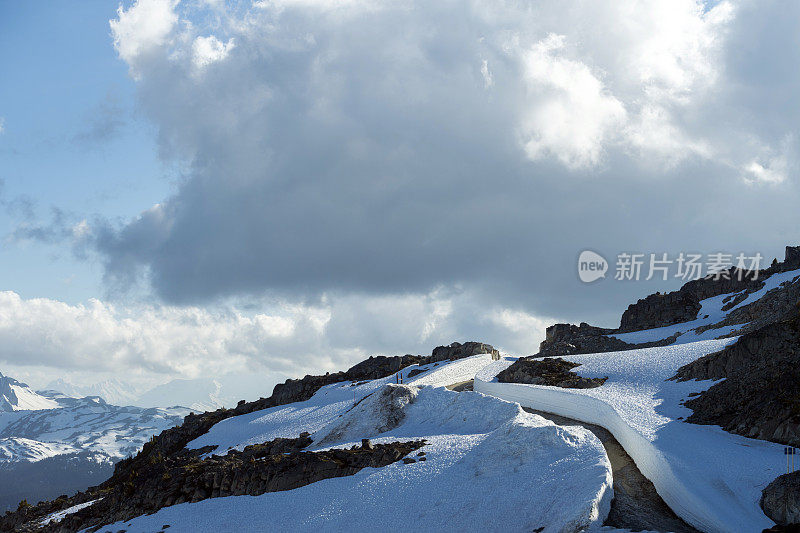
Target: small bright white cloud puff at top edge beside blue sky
x=143, y=28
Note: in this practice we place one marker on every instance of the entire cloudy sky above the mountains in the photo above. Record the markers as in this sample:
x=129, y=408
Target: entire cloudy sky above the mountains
x=272, y=188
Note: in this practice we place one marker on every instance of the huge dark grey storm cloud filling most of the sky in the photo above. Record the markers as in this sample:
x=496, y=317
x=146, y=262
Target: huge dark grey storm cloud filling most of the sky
x=393, y=150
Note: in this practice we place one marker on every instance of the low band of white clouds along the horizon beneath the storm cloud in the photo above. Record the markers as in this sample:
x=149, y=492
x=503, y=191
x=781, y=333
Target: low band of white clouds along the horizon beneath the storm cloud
x=291, y=340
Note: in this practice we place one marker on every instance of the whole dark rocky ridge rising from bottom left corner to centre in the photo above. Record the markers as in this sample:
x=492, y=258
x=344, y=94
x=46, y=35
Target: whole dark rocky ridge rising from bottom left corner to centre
x=168, y=450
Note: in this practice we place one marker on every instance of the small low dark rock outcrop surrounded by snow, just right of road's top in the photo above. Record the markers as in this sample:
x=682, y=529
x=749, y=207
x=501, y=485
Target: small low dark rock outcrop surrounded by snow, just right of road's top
x=553, y=371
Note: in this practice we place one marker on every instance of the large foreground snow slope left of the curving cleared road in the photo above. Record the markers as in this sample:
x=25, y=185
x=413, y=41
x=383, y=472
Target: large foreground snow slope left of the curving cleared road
x=489, y=466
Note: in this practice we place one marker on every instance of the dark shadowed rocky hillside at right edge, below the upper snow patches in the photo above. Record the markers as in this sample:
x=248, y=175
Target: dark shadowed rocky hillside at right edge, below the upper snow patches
x=760, y=396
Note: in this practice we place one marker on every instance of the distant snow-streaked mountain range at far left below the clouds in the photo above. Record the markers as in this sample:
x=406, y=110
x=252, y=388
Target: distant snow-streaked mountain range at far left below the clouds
x=52, y=443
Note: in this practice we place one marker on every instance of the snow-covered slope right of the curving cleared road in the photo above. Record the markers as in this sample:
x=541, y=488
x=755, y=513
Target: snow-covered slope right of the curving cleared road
x=710, y=478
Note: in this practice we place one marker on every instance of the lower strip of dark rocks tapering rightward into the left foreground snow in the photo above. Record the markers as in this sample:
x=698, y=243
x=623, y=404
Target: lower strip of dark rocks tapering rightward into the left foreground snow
x=273, y=466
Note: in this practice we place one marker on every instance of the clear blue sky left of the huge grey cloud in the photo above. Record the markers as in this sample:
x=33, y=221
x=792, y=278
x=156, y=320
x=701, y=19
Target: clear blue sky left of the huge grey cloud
x=72, y=139
